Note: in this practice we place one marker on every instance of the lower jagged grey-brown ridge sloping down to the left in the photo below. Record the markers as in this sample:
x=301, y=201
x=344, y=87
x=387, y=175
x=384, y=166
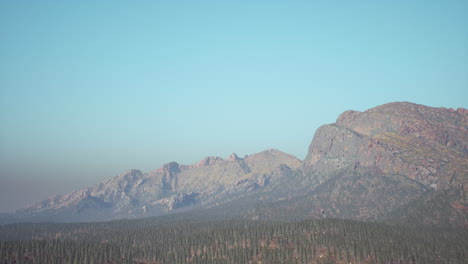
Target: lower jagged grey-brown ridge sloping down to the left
x=173, y=186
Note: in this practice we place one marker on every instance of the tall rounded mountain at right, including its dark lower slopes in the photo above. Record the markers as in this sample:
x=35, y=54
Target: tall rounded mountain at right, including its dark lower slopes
x=392, y=158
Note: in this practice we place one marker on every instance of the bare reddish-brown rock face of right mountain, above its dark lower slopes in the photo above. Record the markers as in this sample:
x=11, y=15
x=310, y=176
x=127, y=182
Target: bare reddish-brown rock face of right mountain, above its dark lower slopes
x=425, y=144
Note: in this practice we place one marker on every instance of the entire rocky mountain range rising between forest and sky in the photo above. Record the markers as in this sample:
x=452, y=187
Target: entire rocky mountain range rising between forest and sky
x=398, y=162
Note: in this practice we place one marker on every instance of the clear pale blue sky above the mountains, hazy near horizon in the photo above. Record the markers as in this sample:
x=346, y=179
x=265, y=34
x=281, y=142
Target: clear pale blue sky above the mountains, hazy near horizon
x=89, y=89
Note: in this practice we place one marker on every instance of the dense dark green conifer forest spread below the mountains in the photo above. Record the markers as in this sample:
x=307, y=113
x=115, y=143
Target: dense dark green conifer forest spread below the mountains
x=171, y=240
